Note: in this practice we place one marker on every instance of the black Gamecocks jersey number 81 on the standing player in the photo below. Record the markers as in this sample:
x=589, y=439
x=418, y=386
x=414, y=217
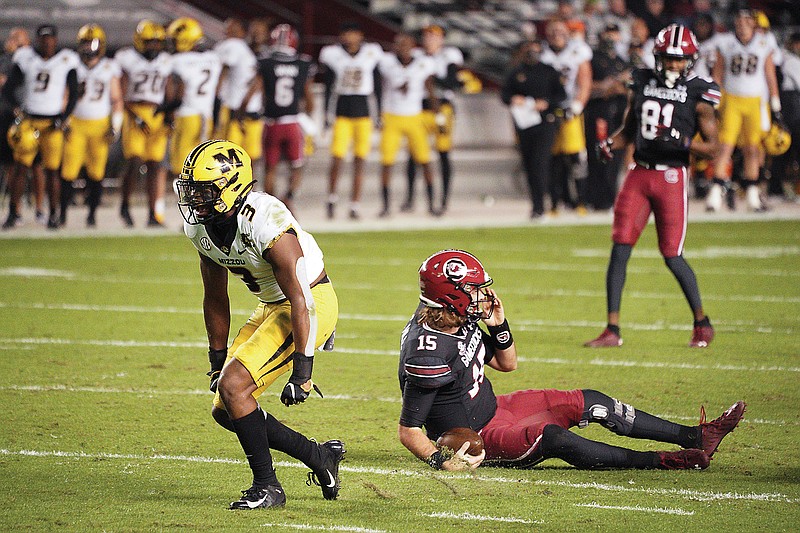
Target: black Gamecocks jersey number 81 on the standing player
x=656, y=105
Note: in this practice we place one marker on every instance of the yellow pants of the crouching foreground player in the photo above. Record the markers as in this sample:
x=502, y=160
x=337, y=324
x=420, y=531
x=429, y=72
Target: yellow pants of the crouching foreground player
x=265, y=346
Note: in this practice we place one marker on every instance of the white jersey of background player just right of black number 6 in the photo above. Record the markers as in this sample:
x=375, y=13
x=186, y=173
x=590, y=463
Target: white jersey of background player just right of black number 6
x=353, y=73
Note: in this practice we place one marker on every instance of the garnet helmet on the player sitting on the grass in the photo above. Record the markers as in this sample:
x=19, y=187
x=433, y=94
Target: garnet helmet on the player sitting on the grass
x=453, y=279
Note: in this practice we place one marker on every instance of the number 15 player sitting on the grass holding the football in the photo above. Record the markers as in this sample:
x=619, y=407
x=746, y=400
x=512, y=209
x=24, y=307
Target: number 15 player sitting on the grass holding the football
x=444, y=354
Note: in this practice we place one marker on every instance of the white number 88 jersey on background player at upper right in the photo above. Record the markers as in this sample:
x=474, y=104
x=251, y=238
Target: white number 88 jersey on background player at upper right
x=744, y=64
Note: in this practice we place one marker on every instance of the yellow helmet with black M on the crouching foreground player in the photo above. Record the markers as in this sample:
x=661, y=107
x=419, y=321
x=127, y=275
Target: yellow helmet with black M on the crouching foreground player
x=217, y=176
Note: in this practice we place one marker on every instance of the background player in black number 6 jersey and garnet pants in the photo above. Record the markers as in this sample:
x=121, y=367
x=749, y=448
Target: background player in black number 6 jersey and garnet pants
x=285, y=78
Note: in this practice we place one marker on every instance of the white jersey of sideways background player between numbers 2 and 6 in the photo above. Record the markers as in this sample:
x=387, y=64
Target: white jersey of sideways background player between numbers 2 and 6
x=241, y=62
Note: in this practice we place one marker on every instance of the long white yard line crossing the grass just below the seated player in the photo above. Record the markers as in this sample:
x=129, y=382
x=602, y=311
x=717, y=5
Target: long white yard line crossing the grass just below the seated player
x=705, y=496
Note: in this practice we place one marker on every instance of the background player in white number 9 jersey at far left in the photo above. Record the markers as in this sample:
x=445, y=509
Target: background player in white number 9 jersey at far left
x=48, y=79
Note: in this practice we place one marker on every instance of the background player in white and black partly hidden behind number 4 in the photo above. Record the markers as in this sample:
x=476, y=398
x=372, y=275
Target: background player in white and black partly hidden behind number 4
x=439, y=122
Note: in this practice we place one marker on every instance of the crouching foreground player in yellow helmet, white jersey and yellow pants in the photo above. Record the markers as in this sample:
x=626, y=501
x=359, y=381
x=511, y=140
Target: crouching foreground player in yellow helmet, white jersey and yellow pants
x=255, y=237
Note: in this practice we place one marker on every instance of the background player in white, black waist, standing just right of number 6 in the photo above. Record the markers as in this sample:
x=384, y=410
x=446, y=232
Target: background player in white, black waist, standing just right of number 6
x=349, y=74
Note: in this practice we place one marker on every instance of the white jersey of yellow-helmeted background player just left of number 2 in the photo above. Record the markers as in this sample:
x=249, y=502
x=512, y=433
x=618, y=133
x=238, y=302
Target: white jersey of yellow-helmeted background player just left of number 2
x=146, y=79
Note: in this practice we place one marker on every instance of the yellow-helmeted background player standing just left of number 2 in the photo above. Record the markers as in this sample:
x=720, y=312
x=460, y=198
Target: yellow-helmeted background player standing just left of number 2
x=145, y=69
